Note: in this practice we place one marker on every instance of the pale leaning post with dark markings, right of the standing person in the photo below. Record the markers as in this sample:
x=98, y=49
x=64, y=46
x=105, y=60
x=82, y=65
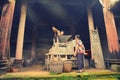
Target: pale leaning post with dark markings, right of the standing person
x=96, y=50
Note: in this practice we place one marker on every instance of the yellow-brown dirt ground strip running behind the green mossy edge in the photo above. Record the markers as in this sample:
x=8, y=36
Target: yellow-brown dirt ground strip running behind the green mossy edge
x=38, y=71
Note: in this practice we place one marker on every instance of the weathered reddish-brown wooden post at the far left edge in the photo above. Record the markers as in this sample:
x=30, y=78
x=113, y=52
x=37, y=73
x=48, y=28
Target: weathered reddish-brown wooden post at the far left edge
x=5, y=26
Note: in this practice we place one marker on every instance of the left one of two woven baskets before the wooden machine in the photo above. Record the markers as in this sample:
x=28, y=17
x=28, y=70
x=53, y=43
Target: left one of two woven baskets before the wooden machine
x=56, y=67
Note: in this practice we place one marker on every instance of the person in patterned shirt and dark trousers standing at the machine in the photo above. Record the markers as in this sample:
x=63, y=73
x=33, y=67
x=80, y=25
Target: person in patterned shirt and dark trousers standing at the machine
x=79, y=53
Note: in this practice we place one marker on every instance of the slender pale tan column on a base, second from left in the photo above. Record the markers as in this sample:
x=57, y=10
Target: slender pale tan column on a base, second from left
x=20, y=42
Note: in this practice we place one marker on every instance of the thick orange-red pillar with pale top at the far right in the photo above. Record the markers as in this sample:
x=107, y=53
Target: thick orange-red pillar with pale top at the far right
x=111, y=31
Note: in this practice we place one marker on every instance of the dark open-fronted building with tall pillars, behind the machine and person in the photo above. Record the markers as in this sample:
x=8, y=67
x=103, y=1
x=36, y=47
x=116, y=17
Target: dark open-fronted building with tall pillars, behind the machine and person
x=26, y=27
